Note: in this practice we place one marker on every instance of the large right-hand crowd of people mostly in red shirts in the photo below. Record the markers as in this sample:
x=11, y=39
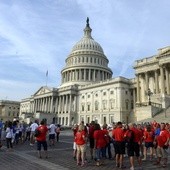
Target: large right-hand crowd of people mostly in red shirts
x=127, y=139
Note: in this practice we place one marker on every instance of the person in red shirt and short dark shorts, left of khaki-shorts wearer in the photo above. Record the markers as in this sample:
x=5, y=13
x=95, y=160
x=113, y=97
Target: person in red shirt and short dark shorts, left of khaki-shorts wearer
x=148, y=139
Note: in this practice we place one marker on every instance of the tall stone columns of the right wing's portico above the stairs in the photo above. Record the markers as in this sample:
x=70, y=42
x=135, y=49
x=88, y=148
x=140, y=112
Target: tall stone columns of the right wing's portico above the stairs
x=156, y=80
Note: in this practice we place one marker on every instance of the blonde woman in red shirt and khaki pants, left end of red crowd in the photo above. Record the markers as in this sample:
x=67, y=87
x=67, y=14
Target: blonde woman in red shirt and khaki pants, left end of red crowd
x=80, y=139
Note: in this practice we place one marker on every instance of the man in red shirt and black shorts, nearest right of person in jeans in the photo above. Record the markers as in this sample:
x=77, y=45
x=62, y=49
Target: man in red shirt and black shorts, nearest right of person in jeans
x=118, y=135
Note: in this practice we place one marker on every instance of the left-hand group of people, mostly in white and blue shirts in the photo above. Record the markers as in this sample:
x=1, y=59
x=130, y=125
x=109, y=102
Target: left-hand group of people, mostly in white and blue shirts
x=15, y=132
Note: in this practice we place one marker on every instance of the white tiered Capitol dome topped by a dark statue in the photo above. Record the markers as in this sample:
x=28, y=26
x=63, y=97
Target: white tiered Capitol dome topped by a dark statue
x=87, y=62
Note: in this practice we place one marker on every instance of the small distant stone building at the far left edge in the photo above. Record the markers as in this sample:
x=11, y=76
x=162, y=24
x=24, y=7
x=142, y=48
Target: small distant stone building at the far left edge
x=9, y=110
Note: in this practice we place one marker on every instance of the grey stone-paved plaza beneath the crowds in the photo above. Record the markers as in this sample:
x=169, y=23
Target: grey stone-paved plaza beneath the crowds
x=24, y=157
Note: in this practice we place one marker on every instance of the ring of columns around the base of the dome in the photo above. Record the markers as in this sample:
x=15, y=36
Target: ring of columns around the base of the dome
x=85, y=75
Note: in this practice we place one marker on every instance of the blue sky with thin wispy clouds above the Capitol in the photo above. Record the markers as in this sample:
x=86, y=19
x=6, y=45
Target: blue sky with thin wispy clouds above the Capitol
x=37, y=36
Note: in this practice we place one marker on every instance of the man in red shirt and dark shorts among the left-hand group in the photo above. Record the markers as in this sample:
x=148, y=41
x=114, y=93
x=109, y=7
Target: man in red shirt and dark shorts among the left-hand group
x=41, y=138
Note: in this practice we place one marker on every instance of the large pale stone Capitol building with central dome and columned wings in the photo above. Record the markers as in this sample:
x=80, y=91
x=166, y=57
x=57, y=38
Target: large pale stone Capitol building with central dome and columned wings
x=88, y=91
